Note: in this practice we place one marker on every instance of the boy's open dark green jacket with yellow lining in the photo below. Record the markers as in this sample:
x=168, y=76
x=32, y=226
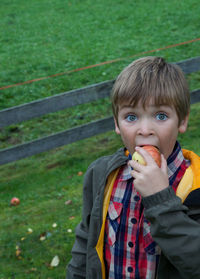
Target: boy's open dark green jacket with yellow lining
x=174, y=224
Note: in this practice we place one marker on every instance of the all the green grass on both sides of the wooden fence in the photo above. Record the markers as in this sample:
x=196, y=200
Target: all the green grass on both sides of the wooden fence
x=41, y=38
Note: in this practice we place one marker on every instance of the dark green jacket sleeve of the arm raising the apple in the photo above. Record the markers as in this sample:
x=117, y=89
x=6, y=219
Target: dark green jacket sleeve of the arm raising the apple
x=175, y=232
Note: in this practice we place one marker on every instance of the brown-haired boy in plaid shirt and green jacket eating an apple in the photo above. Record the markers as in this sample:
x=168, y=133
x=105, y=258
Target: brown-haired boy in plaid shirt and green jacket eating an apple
x=143, y=221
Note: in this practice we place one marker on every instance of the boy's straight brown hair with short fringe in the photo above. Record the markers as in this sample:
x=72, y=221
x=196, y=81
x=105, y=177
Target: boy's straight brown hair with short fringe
x=151, y=78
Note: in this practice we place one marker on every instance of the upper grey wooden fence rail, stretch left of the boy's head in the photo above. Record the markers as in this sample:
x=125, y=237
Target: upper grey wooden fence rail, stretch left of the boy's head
x=55, y=103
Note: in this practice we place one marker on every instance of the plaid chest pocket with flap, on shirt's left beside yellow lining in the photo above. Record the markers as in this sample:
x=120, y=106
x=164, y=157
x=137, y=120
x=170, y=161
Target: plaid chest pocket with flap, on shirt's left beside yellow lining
x=114, y=217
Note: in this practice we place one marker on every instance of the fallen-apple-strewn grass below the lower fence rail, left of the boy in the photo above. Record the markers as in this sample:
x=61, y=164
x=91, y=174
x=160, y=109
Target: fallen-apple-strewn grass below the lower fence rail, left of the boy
x=44, y=184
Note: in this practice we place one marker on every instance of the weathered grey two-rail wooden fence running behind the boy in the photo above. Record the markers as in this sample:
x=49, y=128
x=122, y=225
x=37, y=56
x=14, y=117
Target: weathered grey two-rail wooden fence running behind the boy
x=65, y=100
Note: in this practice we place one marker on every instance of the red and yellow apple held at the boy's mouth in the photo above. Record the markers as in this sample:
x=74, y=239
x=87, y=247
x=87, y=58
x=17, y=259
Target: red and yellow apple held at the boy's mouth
x=152, y=150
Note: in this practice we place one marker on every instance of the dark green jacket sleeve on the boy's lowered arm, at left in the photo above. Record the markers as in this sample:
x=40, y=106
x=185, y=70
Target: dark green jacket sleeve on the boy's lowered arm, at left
x=76, y=268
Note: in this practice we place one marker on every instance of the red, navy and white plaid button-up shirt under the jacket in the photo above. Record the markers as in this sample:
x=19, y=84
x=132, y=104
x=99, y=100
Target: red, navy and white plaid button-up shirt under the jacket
x=129, y=249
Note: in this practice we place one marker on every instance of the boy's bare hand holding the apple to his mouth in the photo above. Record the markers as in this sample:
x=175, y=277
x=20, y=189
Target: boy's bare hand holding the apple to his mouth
x=149, y=179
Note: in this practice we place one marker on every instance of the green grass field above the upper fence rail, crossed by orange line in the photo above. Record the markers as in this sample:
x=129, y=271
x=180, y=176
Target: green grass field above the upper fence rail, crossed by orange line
x=38, y=42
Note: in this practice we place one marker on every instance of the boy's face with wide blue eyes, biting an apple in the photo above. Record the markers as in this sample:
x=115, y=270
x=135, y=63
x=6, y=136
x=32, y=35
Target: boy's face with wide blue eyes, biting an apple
x=153, y=125
